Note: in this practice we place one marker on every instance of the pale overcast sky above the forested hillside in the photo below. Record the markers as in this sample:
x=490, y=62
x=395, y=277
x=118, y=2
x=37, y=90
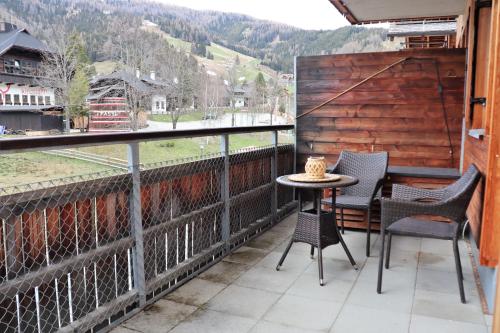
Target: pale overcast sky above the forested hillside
x=310, y=14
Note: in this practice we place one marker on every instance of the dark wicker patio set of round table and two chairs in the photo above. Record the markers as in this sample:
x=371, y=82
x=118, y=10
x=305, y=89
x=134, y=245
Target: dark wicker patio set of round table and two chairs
x=407, y=213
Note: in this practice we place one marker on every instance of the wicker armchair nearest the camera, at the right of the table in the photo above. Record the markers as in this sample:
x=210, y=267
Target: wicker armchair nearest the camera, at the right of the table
x=398, y=216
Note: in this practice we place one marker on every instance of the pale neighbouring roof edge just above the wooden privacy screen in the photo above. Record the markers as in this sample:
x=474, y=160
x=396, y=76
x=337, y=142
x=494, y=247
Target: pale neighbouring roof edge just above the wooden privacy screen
x=424, y=28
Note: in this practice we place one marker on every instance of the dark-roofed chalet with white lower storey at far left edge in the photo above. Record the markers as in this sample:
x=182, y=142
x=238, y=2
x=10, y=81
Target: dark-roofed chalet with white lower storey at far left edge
x=24, y=103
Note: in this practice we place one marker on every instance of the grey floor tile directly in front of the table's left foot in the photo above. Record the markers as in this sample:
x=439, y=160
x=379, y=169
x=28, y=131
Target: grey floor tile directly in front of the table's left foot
x=267, y=279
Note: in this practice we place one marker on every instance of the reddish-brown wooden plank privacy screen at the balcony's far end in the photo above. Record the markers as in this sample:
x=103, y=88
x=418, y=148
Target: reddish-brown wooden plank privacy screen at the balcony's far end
x=398, y=111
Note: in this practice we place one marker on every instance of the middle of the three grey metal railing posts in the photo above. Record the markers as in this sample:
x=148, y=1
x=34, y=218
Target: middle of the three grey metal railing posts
x=225, y=194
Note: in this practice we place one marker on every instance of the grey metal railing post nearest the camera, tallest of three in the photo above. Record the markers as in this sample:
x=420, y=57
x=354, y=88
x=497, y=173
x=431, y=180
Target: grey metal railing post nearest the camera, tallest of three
x=136, y=222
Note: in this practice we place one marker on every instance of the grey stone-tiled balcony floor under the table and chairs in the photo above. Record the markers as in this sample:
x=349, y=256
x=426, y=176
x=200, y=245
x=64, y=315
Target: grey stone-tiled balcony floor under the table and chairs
x=244, y=293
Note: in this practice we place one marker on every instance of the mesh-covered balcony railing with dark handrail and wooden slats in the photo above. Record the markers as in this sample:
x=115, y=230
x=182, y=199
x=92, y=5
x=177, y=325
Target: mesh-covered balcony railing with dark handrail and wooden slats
x=84, y=253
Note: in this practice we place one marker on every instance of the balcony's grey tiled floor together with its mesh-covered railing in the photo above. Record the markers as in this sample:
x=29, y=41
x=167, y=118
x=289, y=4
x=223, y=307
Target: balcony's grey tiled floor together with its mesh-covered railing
x=192, y=245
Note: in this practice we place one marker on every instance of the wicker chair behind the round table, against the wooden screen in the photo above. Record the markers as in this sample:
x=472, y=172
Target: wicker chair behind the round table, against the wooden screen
x=370, y=169
